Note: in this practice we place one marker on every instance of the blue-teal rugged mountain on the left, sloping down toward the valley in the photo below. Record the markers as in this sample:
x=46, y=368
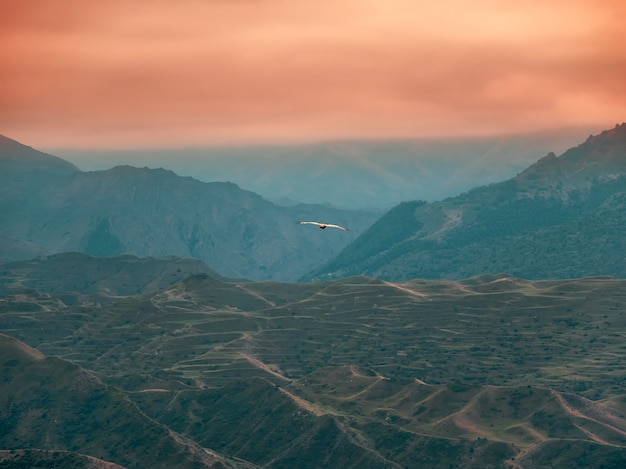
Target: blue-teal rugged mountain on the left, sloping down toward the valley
x=48, y=207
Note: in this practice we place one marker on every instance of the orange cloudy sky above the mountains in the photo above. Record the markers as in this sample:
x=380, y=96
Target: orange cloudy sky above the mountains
x=152, y=73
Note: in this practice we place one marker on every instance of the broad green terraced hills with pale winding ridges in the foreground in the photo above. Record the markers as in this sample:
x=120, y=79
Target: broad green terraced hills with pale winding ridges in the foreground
x=491, y=371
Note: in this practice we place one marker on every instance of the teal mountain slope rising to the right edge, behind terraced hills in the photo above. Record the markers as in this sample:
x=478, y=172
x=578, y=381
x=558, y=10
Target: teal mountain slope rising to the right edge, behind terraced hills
x=563, y=217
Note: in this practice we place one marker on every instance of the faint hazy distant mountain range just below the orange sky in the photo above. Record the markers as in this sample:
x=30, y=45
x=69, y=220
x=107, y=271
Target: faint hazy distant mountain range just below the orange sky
x=354, y=174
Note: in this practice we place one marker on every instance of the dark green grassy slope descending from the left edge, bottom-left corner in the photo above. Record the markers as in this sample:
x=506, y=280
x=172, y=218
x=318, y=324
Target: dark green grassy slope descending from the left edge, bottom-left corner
x=52, y=404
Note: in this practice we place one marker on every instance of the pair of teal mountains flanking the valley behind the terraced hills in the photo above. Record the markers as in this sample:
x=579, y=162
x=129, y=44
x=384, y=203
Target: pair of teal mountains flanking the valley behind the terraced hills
x=562, y=217
